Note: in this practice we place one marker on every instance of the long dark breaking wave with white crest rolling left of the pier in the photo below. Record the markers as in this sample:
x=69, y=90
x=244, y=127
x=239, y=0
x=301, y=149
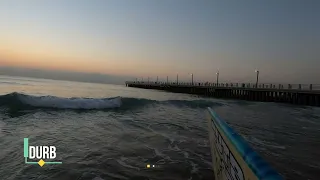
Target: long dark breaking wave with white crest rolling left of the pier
x=18, y=100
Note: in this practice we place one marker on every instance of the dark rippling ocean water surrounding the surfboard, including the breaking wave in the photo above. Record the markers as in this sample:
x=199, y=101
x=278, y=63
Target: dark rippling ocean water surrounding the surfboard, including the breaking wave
x=104, y=131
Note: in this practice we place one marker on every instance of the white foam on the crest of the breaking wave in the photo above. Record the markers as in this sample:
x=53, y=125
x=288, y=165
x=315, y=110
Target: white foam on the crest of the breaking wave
x=70, y=103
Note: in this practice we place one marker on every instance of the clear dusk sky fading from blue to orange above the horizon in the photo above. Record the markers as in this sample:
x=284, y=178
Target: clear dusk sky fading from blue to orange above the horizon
x=150, y=38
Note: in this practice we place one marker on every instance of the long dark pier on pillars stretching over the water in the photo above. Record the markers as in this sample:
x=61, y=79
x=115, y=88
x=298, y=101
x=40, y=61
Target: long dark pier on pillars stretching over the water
x=299, y=94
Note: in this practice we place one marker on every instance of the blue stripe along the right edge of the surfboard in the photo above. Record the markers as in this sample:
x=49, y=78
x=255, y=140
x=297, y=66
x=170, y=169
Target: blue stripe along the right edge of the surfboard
x=258, y=165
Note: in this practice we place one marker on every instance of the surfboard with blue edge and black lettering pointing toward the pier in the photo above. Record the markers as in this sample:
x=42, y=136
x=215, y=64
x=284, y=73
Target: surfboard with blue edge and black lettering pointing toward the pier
x=232, y=157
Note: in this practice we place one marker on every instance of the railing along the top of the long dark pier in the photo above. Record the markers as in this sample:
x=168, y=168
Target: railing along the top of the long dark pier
x=304, y=87
